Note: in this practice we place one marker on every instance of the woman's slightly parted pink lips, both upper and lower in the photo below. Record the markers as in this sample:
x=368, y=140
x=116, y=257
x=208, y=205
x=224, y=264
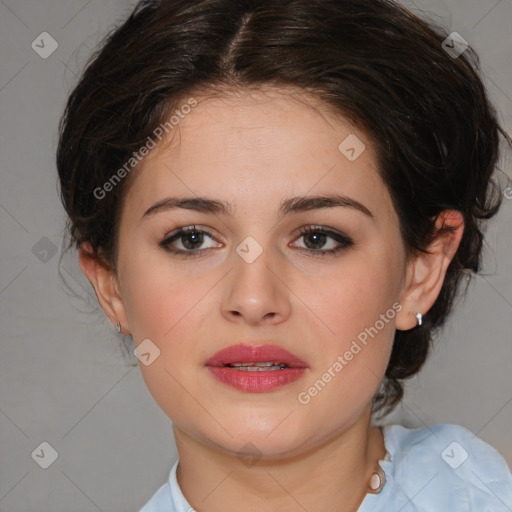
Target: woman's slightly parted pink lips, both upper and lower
x=255, y=368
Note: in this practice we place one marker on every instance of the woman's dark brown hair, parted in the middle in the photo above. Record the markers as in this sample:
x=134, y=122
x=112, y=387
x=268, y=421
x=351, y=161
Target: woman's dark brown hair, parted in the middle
x=370, y=61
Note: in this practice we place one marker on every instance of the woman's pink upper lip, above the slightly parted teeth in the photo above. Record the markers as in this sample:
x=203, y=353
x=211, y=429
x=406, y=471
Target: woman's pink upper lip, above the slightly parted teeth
x=243, y=353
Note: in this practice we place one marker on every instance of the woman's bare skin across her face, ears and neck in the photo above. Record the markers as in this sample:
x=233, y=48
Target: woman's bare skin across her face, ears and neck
x=253, y=149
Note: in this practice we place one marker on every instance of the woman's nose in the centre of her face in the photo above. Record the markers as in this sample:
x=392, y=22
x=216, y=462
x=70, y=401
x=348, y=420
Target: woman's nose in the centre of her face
x=256, y=292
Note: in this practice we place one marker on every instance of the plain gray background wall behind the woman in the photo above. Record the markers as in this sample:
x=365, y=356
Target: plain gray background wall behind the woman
x=62, y=377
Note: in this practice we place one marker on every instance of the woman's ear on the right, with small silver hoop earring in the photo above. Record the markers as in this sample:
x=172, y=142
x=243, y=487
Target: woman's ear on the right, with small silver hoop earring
x=426, y=272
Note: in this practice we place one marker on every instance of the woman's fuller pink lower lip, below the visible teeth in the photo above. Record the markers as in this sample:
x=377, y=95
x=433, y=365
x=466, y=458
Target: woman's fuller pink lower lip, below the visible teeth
x=256, y=381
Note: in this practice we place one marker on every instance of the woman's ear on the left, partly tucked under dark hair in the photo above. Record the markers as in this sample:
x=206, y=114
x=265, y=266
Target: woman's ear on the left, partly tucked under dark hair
x=104, y=281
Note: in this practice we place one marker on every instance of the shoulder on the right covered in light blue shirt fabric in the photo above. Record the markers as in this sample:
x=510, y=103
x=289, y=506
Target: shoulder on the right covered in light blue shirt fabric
x=447, y=466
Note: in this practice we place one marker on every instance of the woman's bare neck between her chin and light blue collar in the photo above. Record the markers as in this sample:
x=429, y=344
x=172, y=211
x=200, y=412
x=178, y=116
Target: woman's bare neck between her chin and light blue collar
x=331, y=477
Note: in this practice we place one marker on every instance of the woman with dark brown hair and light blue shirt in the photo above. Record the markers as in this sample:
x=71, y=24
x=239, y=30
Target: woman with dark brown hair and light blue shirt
x=277, y=200
